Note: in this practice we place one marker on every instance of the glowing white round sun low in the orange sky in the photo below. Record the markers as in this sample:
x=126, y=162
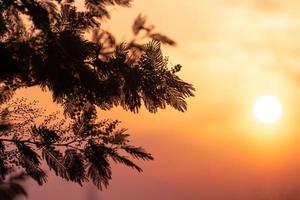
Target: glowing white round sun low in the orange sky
x=267, y=109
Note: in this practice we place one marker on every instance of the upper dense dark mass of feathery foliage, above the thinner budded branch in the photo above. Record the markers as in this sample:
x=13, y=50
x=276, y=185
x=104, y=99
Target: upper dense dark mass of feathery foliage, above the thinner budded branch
x=43, y=43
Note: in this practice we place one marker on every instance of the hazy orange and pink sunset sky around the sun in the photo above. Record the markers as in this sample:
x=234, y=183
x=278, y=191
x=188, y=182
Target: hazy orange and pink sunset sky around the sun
x=232, y=51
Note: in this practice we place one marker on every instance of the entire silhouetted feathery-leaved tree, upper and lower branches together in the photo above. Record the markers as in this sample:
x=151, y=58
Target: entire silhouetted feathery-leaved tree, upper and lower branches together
x=44, y=43
